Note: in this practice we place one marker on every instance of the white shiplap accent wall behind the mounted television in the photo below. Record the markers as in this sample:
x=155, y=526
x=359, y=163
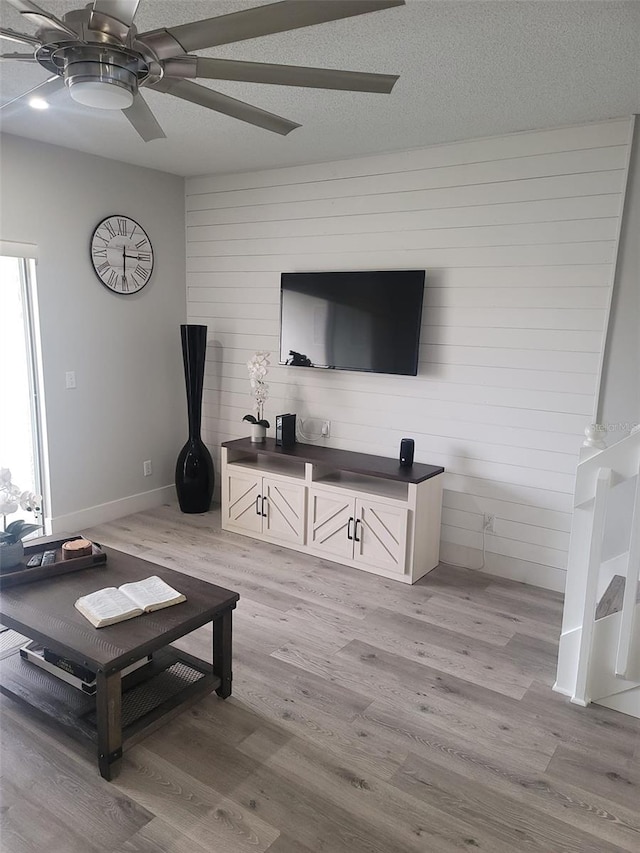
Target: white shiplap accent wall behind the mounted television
x=518, y=235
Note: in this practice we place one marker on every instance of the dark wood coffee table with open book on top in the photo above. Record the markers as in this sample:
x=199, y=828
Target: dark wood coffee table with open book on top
x=123, y=709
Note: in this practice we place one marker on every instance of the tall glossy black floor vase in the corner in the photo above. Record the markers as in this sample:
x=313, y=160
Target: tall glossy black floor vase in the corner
x=195, y=476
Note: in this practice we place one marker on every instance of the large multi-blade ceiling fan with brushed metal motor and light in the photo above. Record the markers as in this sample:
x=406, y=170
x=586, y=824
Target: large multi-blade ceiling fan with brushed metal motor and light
x=98, y=54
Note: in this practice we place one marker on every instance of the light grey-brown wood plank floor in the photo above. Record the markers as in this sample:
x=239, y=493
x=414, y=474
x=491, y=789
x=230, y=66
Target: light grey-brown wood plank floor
x=366, y=716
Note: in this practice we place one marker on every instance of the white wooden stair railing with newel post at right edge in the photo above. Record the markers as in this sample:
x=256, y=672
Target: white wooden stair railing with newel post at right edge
x=596, y=476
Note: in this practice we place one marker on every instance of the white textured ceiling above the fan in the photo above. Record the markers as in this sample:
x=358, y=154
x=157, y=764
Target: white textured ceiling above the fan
x=467, y=69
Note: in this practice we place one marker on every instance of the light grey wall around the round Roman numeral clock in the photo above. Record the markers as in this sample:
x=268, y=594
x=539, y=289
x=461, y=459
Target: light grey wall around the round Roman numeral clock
x=129, y=404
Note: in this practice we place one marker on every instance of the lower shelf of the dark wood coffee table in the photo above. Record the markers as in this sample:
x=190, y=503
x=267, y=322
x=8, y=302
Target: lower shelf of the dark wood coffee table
x=172, y=680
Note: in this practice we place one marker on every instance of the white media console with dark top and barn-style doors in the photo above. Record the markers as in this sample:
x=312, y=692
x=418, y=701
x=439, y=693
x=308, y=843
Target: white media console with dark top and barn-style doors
x=353, y=508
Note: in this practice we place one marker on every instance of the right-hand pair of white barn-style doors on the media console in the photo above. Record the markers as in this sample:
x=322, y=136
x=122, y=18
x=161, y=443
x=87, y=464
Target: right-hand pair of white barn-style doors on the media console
x=370, y=533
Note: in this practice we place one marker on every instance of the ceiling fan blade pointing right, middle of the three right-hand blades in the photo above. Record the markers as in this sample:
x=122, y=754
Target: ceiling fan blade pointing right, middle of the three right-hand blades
x=289, y=75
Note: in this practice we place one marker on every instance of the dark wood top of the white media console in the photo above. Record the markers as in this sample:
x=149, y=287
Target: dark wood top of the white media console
x=340, y=460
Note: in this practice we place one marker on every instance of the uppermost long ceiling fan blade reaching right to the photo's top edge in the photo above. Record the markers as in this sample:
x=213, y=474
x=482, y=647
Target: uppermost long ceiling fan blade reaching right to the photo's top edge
x=260, y=21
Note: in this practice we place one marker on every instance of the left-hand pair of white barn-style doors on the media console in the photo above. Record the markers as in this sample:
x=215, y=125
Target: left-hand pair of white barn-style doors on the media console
x=269, y=507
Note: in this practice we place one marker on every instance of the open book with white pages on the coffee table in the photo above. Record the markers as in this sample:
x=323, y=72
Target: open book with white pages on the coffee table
x=110, y=605
